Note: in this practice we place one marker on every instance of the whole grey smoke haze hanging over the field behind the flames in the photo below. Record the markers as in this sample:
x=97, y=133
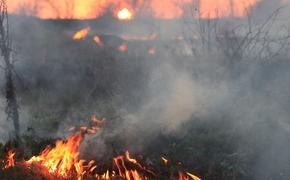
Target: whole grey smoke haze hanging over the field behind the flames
x=63, y=82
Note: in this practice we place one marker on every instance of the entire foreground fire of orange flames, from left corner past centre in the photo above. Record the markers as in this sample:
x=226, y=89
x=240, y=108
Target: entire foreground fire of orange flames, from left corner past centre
x=62, y=161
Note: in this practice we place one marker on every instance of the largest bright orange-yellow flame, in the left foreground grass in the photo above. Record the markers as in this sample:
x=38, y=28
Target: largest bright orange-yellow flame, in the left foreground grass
x=64, y=157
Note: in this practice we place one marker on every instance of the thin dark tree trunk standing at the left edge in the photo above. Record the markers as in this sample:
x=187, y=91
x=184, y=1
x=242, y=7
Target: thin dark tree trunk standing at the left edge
x=5, y=50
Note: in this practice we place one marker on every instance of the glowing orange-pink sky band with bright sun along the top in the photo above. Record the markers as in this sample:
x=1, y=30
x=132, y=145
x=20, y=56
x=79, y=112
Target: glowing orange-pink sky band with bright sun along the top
x=164, y=9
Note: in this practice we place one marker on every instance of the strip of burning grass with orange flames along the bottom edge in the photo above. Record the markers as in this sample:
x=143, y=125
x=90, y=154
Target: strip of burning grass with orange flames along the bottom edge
x=62, y=161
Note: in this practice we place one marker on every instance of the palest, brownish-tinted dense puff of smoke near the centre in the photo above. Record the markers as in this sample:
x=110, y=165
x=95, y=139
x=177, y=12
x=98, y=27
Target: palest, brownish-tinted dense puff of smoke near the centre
x=173, y=98
